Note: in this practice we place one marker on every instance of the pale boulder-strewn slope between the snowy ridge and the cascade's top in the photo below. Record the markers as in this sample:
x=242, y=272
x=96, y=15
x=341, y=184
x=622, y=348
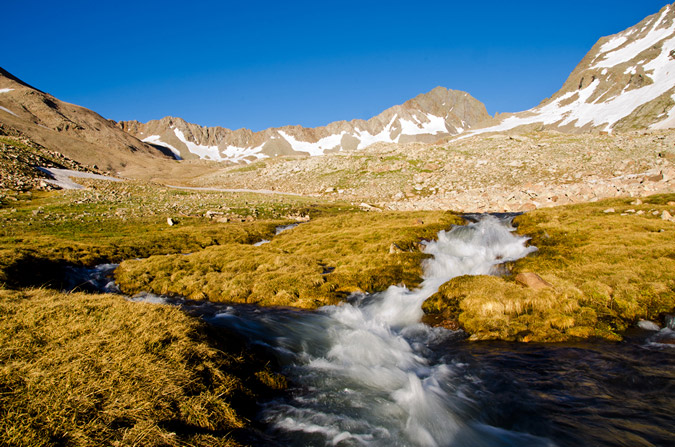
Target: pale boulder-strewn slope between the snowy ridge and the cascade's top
x=487, y=173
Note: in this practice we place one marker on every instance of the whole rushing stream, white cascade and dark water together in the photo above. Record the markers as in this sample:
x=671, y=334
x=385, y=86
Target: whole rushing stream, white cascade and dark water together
x=369, y=373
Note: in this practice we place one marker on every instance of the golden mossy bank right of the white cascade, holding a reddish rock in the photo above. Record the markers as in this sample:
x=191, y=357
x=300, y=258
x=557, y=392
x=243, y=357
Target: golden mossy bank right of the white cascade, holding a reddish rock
x=607, y=271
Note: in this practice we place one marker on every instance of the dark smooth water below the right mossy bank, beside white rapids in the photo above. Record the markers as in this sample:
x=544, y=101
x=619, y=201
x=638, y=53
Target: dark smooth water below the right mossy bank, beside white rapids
x=583, y=394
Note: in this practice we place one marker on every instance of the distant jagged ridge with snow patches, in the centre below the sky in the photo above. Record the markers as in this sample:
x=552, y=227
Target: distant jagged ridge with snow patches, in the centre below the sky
x=425, y=118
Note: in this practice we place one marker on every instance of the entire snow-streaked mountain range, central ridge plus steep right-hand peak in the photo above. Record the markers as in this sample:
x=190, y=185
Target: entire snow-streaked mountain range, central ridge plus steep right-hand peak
x=626, y=81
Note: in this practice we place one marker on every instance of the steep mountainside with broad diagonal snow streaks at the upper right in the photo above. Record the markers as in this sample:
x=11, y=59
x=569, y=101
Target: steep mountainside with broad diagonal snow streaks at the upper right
x=626, y=81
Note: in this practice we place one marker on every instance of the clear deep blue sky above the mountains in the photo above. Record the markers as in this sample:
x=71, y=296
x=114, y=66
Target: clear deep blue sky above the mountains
x=259, y=64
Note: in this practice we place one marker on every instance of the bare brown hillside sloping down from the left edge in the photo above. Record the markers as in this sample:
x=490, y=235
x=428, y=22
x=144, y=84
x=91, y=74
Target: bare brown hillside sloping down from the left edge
x=71, y=130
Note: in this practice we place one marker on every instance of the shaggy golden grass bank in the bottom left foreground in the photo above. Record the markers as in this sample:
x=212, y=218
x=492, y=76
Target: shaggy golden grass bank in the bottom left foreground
x=82, y=370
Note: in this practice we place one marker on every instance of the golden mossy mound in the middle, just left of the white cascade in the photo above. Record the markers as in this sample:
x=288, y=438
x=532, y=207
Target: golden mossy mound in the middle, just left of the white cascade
x=315, y=264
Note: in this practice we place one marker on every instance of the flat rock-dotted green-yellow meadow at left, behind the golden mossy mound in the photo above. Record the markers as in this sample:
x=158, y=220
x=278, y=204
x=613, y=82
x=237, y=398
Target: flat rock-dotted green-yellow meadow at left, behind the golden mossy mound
x=41, y=232
